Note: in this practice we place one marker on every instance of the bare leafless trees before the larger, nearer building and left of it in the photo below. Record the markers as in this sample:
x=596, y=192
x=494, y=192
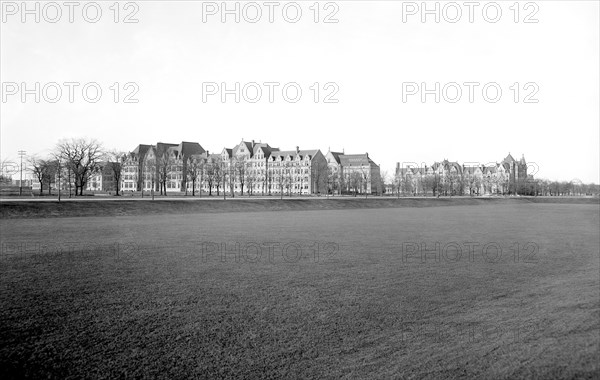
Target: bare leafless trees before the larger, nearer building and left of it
x=73, y=162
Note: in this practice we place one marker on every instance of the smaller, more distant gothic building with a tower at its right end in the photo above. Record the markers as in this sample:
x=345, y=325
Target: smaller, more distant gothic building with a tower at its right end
x=451, y=178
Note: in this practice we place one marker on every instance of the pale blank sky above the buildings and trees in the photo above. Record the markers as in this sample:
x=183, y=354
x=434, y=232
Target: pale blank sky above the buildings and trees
x=368, y=54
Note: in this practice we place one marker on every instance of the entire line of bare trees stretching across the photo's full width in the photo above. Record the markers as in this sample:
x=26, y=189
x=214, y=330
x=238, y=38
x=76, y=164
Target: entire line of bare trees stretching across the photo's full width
x=72, y=163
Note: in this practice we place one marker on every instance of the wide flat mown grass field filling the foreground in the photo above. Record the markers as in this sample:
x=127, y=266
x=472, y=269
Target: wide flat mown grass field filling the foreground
x=149, y=294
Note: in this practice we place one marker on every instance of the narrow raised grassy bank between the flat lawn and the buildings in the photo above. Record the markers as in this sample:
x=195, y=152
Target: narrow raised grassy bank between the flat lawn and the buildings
x=121, y=206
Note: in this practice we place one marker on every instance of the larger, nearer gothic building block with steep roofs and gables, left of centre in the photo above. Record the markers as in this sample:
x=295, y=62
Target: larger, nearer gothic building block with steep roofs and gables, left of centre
x=247, y=168
